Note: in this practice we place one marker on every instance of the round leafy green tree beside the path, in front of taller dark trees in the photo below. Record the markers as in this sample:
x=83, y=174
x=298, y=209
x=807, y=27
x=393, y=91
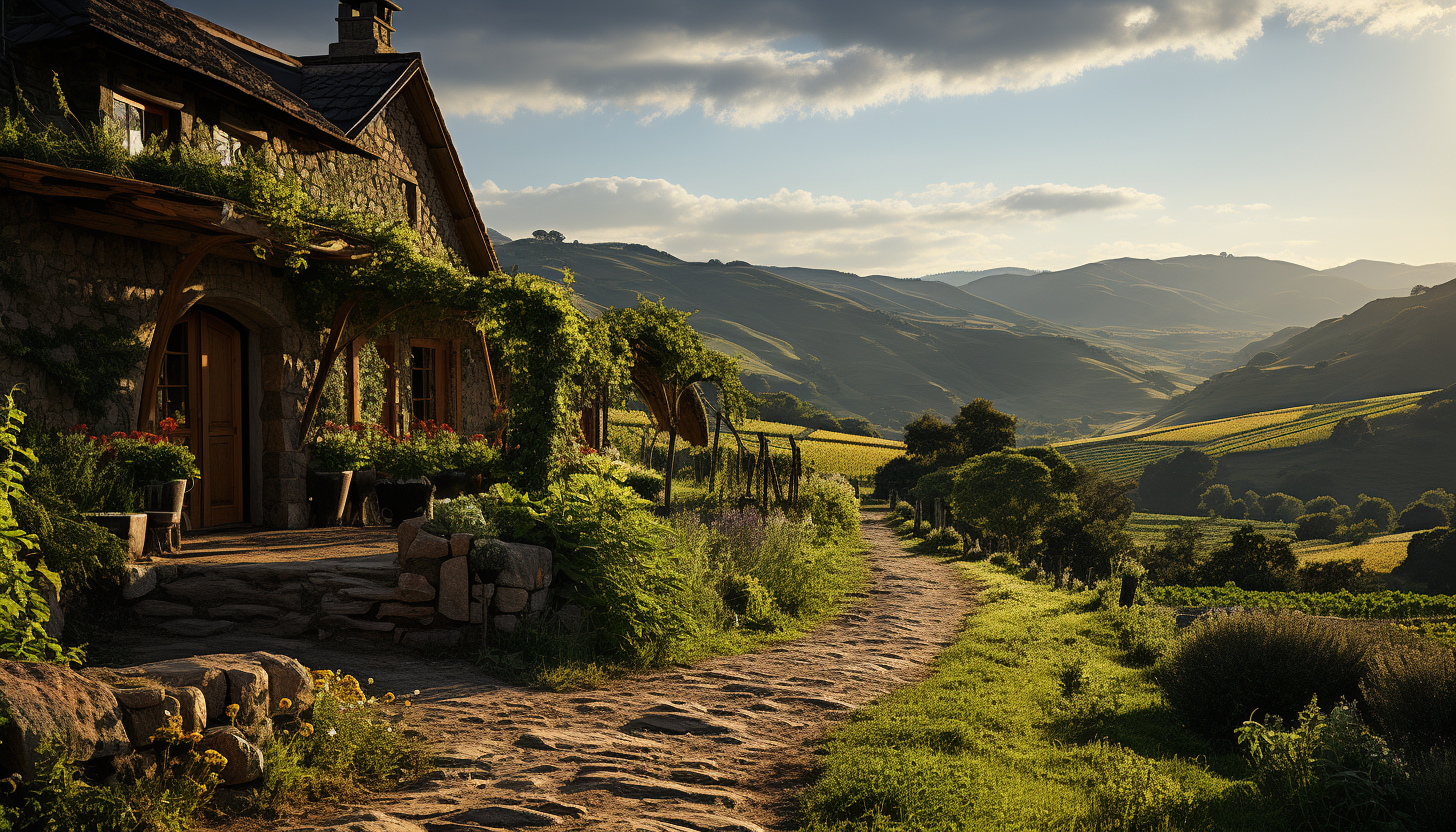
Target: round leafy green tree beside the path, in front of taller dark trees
x=1008, y=495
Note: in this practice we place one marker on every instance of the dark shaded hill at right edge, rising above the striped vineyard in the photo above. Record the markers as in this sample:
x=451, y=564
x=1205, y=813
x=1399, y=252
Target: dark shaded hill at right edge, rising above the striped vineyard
x=1388, y=346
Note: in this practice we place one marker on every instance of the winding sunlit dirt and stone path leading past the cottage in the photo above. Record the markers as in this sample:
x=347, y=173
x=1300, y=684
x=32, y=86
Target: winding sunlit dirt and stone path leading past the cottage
x=723, y=747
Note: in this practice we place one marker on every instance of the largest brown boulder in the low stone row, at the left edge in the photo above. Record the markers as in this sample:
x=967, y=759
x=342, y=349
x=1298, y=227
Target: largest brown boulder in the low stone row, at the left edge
x=46, y=702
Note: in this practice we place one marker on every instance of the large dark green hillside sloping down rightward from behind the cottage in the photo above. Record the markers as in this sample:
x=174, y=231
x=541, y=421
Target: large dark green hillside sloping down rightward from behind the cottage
x=829, y=339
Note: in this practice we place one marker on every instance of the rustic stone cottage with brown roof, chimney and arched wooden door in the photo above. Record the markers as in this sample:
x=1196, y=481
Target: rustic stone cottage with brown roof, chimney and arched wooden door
x=226, y=352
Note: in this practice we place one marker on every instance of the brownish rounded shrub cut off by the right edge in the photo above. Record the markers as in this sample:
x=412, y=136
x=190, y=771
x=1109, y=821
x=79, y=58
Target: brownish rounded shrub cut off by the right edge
x=1410, y=691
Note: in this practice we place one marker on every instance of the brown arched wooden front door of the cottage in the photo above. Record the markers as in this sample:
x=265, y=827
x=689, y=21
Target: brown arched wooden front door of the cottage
x=202, y=387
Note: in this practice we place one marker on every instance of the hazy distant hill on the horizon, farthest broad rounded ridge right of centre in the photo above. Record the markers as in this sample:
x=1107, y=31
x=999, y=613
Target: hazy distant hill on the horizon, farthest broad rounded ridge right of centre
x=1202, y=291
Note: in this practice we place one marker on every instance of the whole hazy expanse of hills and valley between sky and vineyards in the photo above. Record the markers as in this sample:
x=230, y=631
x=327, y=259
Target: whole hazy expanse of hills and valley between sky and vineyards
x=1116, y=342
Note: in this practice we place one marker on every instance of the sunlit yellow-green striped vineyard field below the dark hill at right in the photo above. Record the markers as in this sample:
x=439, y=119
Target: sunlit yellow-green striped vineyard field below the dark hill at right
x=1125, y=455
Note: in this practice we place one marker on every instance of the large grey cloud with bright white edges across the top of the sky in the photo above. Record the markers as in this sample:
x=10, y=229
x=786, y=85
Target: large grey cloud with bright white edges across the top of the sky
x=733, y=63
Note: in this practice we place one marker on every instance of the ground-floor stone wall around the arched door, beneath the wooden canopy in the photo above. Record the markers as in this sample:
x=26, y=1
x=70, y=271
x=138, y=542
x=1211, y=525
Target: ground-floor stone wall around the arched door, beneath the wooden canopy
x=68, y=276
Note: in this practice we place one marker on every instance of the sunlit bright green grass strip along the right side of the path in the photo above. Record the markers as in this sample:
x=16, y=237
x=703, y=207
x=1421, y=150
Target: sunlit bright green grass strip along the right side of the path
x=1034, y=719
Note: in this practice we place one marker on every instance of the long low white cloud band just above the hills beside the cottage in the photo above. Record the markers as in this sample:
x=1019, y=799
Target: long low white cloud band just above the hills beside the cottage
x=941, y=228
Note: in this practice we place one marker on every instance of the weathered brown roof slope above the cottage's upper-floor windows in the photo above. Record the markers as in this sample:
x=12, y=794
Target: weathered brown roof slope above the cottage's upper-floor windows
x=171, y=36
